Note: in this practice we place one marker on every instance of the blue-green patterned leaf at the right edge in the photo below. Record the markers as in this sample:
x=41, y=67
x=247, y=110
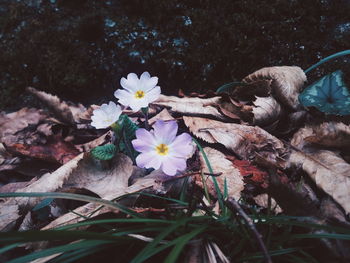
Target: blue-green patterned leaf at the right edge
x=329, y=95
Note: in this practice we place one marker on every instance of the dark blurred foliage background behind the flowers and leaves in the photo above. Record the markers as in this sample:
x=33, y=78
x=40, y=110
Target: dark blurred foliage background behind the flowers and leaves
x=79, y=49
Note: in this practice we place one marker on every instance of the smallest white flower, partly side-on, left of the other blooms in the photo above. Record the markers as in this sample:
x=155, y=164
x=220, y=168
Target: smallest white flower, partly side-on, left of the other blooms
x=106, y=115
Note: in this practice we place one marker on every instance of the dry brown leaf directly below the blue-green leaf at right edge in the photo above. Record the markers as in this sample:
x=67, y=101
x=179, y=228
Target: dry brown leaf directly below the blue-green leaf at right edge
x=329, y=134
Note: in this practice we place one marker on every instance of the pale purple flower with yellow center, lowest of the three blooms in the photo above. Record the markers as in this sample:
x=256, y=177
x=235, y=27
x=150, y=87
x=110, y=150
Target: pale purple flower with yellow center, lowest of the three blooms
x=160, y=148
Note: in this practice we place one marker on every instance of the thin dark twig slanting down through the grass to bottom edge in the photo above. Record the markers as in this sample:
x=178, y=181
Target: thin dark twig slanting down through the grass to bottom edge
x=234, y=206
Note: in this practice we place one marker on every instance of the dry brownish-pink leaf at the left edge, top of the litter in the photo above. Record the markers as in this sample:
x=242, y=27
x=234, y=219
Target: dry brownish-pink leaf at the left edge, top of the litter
x=12, y=123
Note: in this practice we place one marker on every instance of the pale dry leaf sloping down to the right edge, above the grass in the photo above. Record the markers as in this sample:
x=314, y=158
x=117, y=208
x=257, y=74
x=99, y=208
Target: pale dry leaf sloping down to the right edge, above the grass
x=329, y=171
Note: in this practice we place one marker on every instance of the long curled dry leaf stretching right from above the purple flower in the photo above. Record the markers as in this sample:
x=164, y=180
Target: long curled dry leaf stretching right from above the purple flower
x=244, y=140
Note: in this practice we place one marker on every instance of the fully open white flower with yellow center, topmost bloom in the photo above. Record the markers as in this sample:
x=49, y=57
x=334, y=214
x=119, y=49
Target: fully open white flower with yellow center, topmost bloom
x=138, y=93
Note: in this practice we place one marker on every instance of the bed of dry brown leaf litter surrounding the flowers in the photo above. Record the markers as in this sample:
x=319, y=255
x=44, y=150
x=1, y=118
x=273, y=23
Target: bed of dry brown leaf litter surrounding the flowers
x=253, y=155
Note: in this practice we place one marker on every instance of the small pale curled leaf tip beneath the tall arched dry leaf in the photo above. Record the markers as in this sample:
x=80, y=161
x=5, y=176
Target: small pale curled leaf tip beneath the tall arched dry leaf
x=266, y=111
